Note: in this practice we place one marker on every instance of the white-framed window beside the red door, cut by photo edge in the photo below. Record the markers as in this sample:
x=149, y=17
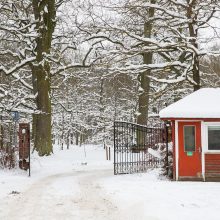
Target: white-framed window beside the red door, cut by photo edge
x=214, y=137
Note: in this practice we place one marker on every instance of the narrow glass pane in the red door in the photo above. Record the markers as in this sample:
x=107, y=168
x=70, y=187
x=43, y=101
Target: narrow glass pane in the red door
x=189, y=138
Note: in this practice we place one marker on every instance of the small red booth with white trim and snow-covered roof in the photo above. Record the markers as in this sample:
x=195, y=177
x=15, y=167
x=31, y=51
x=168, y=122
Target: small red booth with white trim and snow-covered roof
x=195, y=122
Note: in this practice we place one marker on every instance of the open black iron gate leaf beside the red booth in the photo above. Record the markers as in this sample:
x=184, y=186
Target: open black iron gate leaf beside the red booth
x=132, y=144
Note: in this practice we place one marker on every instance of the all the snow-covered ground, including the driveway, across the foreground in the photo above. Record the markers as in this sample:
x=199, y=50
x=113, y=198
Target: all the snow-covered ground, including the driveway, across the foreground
x=62, y=188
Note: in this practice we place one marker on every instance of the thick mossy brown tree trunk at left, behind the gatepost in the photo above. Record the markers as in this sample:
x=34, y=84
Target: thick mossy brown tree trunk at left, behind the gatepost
x=41, y=75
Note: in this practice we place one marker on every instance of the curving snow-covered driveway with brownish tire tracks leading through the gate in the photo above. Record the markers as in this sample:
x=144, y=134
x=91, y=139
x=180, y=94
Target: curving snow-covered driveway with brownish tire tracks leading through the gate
x=54, y=197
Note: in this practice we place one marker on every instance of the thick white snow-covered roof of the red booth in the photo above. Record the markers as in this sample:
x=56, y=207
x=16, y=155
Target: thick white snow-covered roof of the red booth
x=204, y=103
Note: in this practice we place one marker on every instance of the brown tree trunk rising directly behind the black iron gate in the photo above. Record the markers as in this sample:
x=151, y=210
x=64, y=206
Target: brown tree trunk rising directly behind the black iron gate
x=143, y=99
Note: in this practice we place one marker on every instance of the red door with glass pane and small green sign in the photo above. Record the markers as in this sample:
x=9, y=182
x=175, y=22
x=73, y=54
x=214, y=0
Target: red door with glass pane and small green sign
x=190, y=162
